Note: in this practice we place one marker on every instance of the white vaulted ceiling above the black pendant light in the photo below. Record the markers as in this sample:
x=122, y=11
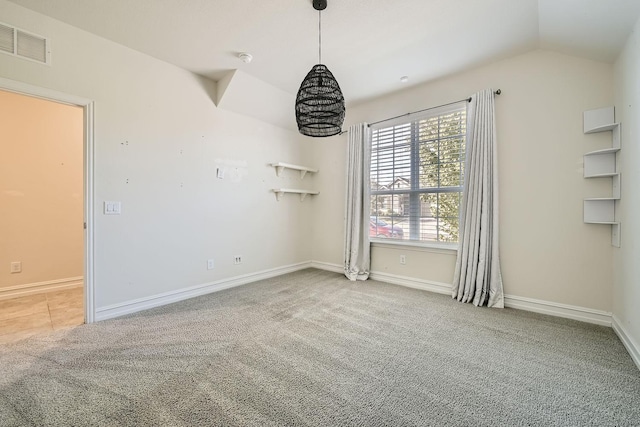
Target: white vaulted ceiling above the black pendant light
x=367, y=44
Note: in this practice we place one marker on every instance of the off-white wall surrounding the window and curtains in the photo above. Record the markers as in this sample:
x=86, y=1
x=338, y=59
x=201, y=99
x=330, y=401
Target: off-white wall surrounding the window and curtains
x=548, y=253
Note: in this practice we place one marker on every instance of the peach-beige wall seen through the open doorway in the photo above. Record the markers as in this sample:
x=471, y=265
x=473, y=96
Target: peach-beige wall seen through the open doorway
x=41, y=190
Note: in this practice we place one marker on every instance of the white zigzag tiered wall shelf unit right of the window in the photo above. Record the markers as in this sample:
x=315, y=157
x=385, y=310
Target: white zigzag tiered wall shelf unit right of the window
x=603, y=164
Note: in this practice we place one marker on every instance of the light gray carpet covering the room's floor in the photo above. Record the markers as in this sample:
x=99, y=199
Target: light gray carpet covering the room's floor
x=311, y=348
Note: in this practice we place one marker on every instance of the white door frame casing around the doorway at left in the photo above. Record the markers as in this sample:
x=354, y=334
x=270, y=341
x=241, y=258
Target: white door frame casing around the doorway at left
x=88, y=178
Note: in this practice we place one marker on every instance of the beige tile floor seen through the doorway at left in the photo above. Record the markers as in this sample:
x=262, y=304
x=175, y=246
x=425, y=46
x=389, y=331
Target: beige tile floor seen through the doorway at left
x=40, y=313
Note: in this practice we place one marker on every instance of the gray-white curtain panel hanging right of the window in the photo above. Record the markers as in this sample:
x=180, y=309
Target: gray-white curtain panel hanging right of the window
x=477, y=276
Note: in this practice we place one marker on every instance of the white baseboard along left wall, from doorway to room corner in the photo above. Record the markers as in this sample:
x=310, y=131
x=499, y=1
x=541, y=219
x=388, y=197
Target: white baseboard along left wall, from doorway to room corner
x=133, y=306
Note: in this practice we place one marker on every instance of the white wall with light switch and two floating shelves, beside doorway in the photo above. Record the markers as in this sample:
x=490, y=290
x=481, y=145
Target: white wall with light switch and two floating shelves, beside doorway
x=158, y=141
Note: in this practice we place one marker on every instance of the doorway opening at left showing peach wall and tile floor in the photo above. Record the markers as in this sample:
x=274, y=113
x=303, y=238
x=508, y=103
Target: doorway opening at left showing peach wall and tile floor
x=46, y=257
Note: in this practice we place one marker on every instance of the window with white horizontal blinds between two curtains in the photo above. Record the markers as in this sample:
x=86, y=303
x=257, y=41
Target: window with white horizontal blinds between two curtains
x=417, y=176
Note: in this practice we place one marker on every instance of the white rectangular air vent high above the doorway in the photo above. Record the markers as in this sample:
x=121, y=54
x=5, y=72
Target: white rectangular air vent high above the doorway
x=23, y=44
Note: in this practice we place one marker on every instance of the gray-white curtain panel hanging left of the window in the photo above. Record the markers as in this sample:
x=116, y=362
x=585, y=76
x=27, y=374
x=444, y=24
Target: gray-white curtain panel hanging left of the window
x=357, y=259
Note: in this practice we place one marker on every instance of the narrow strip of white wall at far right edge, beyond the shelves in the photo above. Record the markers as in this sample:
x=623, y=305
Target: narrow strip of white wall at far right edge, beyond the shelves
x=626, y=290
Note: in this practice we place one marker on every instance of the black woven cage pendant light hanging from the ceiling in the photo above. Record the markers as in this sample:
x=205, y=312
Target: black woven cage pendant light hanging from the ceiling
x=319, y=103
